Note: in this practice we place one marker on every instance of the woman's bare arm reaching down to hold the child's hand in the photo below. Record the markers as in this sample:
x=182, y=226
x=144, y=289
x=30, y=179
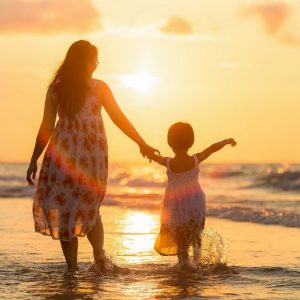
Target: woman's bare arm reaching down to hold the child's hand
x=118, y=117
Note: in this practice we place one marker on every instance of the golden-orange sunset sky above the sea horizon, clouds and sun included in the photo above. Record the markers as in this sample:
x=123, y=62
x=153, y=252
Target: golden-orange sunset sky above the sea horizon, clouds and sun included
x=229, y=68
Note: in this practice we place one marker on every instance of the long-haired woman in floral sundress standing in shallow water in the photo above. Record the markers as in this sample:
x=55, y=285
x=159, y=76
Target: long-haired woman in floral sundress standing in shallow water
x=73, y=175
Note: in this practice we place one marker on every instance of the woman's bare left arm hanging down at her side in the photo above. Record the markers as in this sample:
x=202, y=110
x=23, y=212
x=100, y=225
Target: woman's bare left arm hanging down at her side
x=44, y=133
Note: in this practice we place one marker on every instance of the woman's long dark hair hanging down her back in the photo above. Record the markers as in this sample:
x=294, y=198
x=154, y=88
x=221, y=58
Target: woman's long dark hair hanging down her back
x=69, y=82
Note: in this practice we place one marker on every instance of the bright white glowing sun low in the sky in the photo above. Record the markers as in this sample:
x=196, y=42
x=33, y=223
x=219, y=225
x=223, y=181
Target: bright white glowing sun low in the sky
x=141, y=81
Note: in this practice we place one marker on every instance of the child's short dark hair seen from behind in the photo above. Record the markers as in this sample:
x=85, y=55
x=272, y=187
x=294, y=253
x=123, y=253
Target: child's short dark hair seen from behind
x=181, y=136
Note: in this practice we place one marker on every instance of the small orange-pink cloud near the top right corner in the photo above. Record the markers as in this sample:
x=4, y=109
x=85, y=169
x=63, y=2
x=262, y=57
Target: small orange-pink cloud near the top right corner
x=273, y=15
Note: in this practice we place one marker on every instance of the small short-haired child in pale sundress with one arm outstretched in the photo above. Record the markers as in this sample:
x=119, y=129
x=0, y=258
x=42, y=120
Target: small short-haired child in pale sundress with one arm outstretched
x=183, y=207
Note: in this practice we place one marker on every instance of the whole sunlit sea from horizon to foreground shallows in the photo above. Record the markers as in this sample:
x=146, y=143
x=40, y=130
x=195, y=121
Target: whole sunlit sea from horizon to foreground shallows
x=252, y=209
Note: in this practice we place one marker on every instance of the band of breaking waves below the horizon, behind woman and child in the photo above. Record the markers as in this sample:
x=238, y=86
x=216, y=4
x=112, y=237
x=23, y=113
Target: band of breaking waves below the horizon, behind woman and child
x=258, y=193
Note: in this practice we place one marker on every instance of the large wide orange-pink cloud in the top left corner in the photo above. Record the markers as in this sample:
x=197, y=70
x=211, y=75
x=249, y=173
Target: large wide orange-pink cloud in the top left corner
x=51, y=16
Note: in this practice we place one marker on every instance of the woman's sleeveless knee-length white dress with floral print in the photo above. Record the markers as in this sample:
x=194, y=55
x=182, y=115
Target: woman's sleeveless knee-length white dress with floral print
x=73, y=175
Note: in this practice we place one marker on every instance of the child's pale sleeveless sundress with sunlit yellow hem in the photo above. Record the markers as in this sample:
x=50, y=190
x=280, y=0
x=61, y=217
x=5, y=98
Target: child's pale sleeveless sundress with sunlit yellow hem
x=182, y=211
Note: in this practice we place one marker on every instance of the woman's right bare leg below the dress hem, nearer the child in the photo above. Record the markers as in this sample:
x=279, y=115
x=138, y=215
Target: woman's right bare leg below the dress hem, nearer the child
x=96, y=238
